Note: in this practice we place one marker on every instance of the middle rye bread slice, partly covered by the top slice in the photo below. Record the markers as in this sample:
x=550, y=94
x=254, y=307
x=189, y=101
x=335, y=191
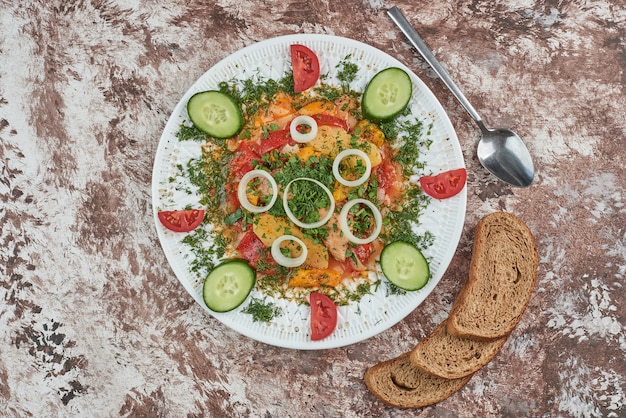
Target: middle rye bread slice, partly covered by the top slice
x=450, y=357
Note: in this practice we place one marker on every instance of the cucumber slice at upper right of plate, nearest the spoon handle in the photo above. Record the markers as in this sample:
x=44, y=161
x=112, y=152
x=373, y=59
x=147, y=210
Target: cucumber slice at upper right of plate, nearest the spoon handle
x=387, y=94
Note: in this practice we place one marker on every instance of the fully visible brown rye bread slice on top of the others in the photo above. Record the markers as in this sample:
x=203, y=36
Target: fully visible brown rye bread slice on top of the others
x=502, y=276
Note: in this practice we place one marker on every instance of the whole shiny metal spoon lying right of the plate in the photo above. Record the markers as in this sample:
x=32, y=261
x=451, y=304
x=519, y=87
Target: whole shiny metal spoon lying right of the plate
x=501, y=151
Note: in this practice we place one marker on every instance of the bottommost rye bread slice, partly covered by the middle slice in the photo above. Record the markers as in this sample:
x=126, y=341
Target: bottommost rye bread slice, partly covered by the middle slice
x=398, y=383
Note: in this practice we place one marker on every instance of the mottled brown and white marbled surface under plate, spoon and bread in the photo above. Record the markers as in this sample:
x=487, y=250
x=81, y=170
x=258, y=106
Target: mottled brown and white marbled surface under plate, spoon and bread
x=94, y=323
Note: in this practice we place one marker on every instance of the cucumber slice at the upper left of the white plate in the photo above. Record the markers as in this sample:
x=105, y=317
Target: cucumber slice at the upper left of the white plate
x=215, y=113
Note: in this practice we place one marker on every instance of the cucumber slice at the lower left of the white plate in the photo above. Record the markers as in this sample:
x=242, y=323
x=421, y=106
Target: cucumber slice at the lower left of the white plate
x=228, y=285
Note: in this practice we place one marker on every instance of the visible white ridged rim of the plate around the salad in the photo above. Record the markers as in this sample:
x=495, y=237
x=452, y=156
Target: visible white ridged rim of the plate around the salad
x=374, y=313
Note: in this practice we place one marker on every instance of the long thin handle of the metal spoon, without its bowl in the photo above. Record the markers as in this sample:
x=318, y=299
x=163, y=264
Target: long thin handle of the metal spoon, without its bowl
x=400, y=20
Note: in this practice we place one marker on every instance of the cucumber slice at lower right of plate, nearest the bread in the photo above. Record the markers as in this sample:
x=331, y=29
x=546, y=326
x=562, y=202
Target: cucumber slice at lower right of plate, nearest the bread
x=404, y=265
